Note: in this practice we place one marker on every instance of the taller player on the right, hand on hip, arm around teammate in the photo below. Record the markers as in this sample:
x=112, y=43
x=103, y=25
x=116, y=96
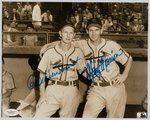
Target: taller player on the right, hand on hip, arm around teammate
x=102, y=57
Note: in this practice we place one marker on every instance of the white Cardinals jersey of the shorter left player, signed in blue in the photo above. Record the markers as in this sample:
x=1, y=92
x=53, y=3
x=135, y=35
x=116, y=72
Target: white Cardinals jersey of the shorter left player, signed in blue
x=58, y=65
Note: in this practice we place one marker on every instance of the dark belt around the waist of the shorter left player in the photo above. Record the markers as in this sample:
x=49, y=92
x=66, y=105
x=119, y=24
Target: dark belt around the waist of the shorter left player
x=64, y=83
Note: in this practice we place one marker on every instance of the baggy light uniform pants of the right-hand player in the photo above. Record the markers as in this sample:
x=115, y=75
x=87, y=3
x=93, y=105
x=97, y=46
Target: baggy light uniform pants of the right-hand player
x=113, y=98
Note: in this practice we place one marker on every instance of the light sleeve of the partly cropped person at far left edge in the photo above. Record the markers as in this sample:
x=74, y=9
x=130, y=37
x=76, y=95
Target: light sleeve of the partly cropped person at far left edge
x=10, y=84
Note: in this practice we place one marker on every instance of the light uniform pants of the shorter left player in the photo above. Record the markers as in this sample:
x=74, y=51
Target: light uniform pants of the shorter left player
x=65, y=98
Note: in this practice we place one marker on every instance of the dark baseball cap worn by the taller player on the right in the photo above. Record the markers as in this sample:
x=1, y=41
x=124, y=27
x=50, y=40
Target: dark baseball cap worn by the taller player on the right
x=94, y=22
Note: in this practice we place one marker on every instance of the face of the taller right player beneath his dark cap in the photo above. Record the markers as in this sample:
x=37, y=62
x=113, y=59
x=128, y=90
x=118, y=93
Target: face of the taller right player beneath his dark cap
x=94, y=33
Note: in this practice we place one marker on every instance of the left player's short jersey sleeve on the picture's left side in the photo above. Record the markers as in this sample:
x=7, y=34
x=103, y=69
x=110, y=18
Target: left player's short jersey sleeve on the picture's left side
x=43, y=65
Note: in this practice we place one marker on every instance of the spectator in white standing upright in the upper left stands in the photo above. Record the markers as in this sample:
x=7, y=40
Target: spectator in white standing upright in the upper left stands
x=36, y=16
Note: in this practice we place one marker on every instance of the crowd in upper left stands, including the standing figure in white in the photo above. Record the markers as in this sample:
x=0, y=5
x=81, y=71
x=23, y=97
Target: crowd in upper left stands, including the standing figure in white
x=27, y=13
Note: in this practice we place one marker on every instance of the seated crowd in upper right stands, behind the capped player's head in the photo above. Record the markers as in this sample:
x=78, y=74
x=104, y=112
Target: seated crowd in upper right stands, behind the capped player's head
x=116, y=21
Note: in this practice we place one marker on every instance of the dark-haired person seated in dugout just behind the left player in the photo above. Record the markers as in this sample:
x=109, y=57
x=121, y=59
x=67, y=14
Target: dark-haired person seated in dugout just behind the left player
x=27, y=106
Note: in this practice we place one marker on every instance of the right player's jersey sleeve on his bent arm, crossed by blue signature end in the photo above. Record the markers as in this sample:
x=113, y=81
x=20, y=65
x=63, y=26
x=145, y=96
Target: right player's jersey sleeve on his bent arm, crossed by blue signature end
x=119, y=53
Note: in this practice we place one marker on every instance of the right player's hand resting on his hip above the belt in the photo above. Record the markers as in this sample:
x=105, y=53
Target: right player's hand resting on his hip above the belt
x=119, y=80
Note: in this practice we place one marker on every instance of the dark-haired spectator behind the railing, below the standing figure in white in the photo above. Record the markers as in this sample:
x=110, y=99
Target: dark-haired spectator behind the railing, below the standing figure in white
x=30, y=39
